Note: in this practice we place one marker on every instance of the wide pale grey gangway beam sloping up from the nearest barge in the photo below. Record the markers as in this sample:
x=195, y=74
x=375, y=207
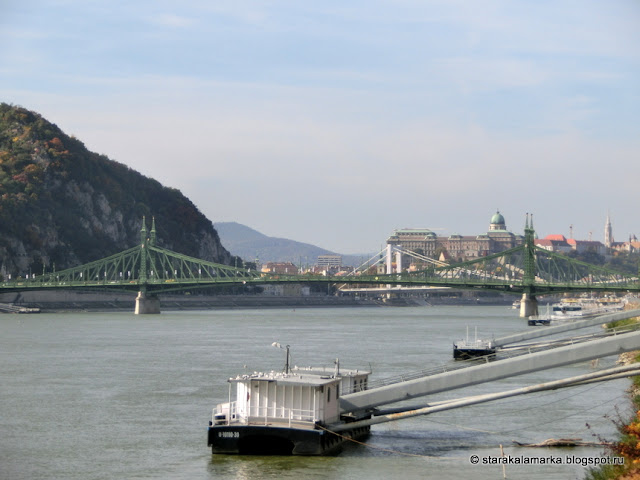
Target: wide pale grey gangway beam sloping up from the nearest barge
x=426, y=383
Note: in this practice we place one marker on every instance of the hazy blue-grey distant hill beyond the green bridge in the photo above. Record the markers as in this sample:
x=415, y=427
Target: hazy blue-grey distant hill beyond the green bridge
x=250, y=244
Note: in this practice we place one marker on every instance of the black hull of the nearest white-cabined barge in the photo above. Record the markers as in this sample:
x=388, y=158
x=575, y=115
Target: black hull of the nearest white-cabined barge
x=271, y=440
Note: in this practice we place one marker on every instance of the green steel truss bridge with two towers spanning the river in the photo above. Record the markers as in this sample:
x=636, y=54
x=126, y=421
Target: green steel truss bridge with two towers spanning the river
x=149, y=269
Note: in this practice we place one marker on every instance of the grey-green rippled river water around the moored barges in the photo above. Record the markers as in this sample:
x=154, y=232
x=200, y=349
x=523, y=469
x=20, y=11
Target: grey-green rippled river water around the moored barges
x=115, y=395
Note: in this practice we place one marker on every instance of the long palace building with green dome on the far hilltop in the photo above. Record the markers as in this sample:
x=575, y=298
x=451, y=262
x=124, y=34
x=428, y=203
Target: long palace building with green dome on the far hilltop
x=457, y=248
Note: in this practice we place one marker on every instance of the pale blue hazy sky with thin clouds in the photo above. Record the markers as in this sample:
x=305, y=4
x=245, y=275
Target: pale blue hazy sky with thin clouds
x=334, y=123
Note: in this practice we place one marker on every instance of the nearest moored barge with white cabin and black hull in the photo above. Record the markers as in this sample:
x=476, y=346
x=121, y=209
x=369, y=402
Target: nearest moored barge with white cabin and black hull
x=285, y=413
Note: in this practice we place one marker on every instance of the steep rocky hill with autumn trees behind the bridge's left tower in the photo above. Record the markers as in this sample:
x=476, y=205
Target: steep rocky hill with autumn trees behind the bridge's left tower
x=62, y=205
